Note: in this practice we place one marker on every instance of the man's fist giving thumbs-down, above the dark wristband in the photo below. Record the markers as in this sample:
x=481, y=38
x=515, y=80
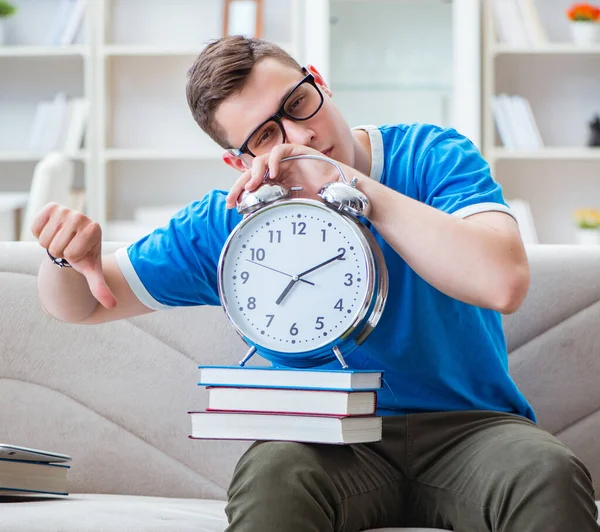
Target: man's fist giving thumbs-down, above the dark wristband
x=69, y=234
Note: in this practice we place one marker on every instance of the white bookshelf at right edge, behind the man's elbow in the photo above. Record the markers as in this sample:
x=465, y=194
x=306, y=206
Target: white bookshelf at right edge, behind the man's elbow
x=561, y=81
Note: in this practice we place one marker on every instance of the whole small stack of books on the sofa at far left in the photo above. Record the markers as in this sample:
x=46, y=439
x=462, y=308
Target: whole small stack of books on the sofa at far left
x=26, y=471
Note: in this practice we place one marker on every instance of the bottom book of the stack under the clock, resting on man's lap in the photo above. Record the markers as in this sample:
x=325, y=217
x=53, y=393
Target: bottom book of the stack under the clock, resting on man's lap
x=299, y=428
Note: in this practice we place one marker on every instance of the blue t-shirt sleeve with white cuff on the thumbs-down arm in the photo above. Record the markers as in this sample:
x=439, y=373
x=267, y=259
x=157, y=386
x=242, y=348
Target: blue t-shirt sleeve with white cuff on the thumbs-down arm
x=176, y=265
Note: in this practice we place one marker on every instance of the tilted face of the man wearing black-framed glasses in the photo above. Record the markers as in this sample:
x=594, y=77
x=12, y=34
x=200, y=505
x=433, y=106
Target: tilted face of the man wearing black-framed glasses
x=268, y=84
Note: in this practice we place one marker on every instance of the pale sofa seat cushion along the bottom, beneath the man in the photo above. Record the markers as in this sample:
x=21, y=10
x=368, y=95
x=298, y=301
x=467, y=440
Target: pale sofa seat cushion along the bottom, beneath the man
x=83, y=512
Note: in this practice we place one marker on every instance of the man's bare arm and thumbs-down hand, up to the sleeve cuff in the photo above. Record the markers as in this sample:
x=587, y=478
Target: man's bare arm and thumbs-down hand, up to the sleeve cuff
x=93, y=290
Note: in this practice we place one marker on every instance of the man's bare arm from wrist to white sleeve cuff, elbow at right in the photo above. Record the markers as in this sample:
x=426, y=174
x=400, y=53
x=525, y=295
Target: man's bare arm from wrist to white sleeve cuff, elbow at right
x=479, y=259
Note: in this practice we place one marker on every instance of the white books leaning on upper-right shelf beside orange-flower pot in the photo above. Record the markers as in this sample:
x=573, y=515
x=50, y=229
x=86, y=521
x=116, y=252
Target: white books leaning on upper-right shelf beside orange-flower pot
x=518, y=23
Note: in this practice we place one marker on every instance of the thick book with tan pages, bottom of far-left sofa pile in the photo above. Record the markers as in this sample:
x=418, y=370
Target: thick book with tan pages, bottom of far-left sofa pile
x=25, y=476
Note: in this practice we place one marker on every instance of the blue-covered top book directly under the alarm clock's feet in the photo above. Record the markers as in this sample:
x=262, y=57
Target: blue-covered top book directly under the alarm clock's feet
x=271, y=377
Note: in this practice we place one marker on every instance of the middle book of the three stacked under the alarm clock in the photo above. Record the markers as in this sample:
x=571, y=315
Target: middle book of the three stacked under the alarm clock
x=291, y=401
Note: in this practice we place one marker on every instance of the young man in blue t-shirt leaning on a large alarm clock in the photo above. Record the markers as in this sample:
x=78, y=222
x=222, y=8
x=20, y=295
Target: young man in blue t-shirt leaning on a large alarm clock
x=460, y=447
